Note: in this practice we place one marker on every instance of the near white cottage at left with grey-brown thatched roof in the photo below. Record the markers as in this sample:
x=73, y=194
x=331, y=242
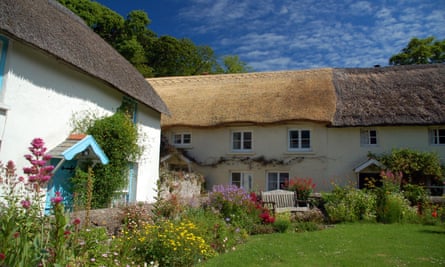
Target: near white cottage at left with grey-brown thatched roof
x=53, y=66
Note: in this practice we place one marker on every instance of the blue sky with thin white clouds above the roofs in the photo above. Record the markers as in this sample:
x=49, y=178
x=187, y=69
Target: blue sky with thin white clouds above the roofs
x=272, y=35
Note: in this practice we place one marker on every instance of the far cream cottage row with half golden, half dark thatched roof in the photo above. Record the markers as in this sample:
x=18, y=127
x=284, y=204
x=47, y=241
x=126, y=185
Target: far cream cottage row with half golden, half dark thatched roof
x=257, y=130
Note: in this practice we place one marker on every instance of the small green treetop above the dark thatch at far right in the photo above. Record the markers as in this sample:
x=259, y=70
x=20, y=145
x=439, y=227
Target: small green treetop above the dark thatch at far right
x=420, y=51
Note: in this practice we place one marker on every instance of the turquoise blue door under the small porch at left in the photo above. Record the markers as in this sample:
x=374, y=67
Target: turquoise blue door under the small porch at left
x=60, y=182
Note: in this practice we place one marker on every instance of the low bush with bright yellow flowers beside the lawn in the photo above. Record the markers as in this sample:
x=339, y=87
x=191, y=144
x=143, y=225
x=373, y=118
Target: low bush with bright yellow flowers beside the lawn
x=169, y=243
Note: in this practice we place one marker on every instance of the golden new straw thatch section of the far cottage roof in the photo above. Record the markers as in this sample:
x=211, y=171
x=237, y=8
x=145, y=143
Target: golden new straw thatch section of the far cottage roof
x=267, y=97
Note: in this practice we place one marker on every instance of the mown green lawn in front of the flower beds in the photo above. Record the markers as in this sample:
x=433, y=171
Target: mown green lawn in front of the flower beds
x=343, y=245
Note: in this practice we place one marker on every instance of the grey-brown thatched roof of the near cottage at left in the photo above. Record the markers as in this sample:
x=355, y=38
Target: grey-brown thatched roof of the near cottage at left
x=47, y=25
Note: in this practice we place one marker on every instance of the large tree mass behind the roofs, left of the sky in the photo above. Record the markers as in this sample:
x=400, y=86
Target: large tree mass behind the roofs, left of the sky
x=151, y=55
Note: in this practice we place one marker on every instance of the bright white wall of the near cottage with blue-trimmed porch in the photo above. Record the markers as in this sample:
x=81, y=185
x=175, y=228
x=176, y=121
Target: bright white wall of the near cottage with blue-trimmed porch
x=42, y=95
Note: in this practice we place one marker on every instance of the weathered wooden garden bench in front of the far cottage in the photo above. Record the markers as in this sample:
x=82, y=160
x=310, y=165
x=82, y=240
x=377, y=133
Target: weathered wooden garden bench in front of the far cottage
x=281, y=201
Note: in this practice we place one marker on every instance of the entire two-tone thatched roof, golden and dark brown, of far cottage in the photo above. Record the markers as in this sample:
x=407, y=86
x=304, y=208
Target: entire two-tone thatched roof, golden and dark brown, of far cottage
x=403, y=95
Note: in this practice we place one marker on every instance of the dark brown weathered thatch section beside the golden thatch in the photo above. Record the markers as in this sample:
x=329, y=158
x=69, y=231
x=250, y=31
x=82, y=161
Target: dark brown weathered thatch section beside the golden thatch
x=403, y=95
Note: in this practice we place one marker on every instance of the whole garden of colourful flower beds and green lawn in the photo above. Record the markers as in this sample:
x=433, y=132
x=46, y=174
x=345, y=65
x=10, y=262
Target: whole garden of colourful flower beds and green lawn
x=393, y=224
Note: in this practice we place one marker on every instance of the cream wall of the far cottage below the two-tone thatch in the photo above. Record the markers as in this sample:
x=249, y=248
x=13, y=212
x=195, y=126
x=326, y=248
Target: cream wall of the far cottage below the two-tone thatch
x=335, y=152
